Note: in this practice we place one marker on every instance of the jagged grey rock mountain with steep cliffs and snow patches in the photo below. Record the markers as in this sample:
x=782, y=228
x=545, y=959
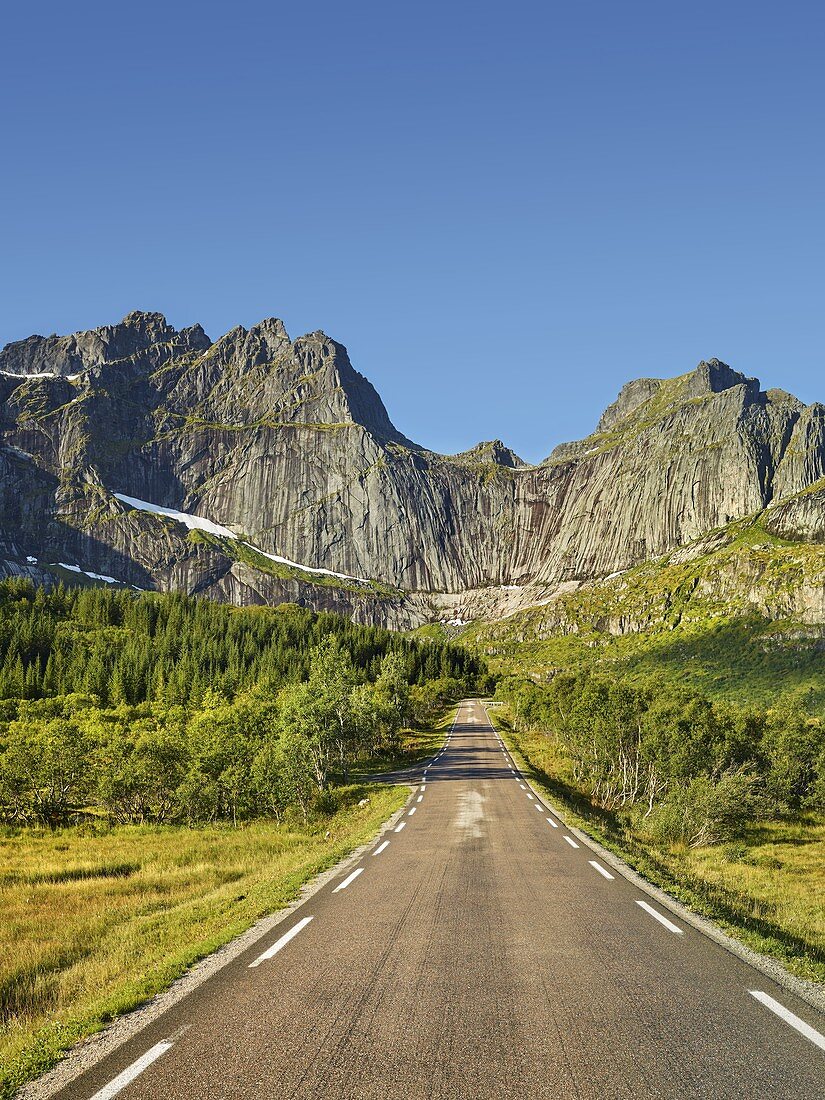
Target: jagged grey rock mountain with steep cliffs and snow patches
x=116, y=441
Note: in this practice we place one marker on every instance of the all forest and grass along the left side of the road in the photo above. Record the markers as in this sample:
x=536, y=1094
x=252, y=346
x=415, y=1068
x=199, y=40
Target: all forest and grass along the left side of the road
x=170, y=772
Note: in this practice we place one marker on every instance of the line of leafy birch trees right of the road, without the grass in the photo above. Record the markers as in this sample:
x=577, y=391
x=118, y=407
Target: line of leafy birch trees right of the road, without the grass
x=691, y=768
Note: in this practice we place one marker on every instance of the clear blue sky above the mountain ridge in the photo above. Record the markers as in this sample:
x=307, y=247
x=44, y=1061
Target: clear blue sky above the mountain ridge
x=505, y=211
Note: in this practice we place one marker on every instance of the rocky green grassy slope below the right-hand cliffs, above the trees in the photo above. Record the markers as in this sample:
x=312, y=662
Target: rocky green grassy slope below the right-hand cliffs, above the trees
x=720, y=621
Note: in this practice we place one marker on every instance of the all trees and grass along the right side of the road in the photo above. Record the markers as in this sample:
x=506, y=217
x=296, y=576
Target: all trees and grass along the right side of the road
x=722, y=807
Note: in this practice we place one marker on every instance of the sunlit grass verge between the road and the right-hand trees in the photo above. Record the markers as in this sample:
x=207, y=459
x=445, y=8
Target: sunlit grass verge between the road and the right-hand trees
x=766, y=888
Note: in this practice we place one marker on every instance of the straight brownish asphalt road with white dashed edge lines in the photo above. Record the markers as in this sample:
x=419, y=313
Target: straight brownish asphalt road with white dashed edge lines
x=477, y=952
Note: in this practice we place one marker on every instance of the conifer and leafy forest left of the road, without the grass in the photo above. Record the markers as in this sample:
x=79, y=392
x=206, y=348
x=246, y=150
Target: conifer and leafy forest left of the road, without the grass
x=140, y=708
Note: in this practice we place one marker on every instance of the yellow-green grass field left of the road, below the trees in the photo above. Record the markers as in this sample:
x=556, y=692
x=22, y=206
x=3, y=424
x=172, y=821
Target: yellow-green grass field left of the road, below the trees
x=96, y=923
